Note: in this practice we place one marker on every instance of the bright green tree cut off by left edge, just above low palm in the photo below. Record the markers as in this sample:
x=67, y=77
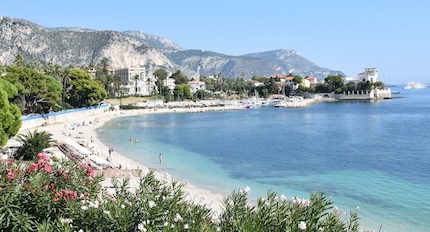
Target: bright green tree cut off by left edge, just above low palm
x=10, y=115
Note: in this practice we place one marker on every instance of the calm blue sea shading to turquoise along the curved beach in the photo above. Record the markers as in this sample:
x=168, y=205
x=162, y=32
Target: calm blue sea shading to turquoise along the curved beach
x=370, y=156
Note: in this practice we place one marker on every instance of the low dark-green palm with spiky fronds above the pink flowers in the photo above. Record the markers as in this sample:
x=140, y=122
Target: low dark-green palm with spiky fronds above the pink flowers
x=32, y=144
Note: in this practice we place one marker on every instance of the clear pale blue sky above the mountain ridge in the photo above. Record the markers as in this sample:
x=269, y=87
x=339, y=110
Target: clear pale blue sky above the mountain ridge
x=393, y=36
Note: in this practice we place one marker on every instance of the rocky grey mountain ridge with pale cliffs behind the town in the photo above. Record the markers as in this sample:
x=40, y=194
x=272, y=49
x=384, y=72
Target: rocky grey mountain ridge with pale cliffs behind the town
x=82, y=46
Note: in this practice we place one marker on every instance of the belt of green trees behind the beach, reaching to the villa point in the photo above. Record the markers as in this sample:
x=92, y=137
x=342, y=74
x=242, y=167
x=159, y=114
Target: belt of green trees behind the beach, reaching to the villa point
x=40, y=89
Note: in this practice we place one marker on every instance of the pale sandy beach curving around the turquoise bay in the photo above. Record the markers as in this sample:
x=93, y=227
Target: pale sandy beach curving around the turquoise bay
x=64, y=131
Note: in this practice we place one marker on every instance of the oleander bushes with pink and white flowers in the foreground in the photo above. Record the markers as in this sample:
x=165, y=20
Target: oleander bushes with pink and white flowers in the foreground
x=43, y=195
